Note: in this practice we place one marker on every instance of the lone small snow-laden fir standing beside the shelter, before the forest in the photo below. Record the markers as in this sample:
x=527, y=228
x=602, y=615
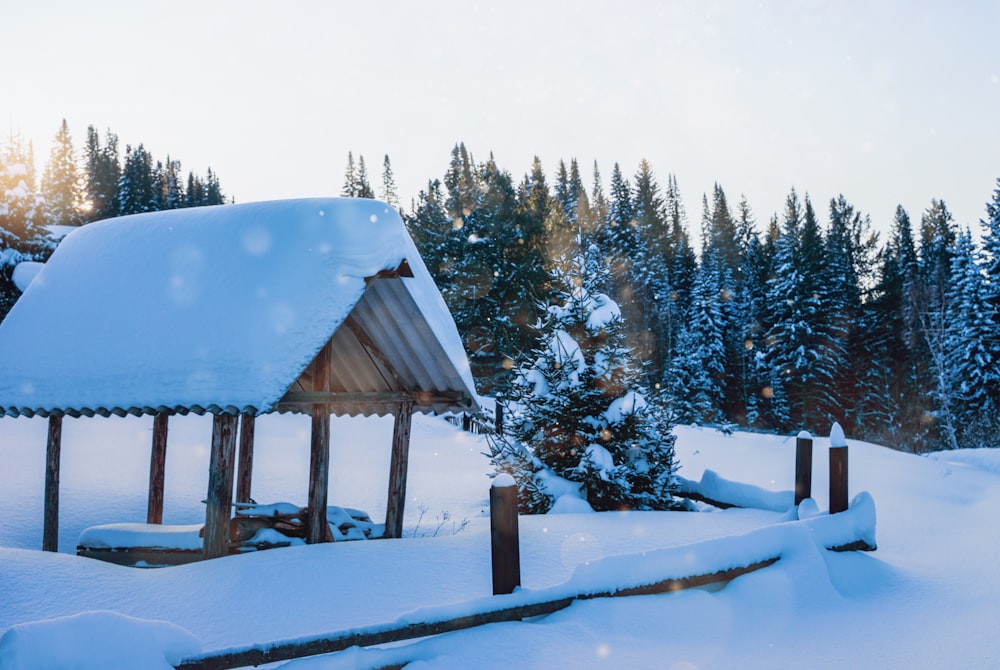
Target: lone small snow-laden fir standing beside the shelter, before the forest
x=580, y=424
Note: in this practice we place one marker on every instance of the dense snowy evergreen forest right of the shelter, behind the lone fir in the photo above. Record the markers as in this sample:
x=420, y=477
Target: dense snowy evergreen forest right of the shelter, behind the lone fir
x=807, y=319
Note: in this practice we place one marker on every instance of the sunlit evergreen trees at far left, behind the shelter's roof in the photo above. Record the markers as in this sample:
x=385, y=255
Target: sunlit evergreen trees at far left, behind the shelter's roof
x=96, y=182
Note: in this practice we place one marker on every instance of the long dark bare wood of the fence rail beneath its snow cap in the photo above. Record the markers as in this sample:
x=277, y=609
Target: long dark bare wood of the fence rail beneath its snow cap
x=283, y=651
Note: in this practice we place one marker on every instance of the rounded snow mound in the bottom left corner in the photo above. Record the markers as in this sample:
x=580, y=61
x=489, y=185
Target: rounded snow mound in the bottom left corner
x=98, y=640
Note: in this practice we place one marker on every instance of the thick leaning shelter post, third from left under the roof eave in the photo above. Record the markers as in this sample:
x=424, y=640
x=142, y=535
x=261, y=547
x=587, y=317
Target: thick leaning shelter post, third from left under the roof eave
x=220, y=486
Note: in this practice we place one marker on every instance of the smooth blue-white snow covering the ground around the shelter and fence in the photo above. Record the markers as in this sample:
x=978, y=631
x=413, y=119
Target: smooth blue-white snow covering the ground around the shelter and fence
x=927, y=598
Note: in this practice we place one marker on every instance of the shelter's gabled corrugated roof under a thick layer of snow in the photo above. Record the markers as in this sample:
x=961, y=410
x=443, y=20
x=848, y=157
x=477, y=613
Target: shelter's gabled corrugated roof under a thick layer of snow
x=224, y=309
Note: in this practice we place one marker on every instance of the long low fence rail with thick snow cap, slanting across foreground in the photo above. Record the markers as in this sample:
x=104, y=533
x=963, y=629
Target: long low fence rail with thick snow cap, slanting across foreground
x=688, y=566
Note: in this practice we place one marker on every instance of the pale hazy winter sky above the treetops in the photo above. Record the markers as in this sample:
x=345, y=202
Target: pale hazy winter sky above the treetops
x=889, y=103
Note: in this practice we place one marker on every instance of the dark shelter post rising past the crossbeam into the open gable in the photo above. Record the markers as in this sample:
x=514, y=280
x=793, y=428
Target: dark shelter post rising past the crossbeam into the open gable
x=317, y=528
